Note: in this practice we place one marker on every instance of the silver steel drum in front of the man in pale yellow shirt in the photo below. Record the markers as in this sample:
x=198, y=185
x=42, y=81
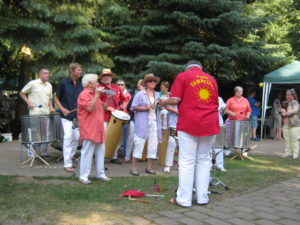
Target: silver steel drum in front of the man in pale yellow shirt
x=37, y=129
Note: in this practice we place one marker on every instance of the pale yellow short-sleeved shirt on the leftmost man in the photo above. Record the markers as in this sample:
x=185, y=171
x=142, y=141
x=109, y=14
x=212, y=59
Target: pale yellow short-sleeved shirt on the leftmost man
x=39, y=93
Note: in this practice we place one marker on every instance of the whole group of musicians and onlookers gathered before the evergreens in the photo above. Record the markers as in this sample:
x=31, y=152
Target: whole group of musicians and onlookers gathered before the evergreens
x=193, y=109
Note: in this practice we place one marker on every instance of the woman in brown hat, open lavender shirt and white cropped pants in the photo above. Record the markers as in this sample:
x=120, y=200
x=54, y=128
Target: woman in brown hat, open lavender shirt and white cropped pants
x=146, y=124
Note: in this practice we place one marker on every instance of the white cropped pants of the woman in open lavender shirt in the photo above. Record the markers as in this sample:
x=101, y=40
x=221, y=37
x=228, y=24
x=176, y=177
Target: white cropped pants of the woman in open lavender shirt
x=152, y=142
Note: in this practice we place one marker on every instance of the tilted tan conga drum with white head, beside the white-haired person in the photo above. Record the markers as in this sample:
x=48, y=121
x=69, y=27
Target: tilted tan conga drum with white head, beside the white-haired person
x=114, y=131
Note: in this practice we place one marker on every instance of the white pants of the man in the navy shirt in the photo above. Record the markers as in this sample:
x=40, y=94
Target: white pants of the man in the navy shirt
x=71, y=138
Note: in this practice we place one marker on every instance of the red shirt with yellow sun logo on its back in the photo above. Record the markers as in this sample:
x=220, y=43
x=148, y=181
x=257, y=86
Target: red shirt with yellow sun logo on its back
x=198, y=109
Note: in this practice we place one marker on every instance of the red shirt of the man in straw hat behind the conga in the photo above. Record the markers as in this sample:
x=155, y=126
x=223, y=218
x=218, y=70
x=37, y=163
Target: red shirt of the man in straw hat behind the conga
x=117, y=100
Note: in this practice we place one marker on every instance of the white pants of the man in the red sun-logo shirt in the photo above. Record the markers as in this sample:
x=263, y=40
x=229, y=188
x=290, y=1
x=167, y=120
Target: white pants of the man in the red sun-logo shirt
x=194, y=167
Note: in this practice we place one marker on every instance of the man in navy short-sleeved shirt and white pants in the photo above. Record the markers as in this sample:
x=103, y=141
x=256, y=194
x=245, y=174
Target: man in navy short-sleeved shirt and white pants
x=66, y=99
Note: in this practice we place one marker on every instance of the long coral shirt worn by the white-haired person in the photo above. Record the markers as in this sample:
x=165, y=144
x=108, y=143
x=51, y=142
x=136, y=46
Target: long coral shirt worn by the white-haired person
x=91, y=124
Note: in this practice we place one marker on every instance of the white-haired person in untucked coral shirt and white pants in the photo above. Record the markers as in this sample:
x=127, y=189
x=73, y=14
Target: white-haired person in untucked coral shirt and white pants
x=90, y=113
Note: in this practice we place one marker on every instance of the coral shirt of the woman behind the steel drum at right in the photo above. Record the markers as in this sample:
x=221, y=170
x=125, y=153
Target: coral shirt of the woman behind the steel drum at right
x=240, y=108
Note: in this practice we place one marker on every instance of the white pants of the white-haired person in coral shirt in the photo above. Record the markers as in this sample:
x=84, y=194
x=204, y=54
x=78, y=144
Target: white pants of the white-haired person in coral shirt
x=86, y=158
